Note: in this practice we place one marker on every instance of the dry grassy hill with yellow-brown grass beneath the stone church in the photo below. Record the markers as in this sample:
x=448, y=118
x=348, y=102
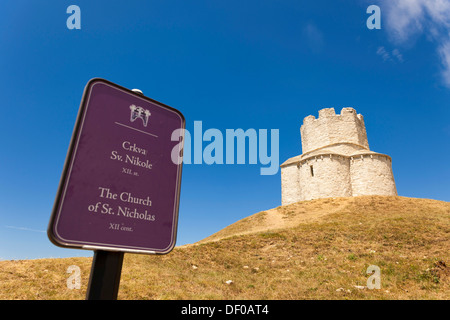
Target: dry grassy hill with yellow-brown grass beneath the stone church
x=317, y=249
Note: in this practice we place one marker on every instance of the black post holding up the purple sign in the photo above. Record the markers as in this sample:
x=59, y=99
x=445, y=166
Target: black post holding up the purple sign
x=105, y=275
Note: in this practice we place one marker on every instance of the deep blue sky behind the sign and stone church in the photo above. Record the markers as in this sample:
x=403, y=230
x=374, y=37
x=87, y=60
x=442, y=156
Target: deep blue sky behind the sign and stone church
x=230, y=64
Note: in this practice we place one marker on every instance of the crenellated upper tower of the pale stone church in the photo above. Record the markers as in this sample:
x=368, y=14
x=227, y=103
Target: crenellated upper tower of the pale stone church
x=331, y=128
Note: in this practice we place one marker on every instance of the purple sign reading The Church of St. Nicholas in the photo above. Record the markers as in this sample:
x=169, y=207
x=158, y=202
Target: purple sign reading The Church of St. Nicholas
x=120, y=188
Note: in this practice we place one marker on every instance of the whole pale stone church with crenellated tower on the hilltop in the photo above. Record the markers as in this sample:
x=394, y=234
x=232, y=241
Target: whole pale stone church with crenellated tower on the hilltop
x=336, y=161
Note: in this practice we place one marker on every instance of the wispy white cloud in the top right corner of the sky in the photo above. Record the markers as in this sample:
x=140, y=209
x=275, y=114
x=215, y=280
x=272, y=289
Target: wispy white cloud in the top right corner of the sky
x=408, y=19
